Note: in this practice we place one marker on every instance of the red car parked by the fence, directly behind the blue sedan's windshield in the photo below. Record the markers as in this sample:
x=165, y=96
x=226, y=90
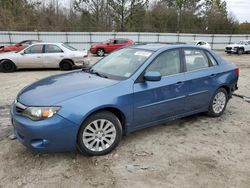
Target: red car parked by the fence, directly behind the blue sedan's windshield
x=109, y=46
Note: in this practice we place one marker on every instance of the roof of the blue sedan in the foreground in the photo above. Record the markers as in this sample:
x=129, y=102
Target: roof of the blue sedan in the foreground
x=158, y=46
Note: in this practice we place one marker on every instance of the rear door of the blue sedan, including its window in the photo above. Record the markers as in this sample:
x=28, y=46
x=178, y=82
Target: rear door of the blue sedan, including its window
x=200, y=75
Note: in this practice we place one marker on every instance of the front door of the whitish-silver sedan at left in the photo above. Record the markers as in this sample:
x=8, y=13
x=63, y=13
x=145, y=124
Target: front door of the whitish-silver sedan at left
x=32, y=57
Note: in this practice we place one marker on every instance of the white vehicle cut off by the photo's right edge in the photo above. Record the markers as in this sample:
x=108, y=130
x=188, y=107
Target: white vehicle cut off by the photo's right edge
x=241, y=47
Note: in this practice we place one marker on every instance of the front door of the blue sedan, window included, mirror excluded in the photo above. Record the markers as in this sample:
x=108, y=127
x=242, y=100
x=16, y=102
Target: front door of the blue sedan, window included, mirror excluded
x=155, y=101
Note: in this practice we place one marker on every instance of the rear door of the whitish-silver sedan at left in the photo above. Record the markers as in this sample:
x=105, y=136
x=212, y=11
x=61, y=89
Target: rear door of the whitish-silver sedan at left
x=53, y=55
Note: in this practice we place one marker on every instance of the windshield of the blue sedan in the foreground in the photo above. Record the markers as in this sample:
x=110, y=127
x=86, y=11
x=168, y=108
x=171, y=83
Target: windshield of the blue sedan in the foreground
x=122, y=63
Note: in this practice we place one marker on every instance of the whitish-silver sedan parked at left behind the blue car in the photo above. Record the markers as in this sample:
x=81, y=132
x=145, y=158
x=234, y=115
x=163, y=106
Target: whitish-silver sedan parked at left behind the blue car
x=43, y=55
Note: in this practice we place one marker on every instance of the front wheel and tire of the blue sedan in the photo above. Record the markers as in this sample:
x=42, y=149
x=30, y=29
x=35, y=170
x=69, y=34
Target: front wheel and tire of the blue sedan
x=99, y=134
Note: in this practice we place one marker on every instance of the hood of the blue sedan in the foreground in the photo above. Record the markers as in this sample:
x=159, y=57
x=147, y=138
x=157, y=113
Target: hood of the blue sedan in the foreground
x=58, y=88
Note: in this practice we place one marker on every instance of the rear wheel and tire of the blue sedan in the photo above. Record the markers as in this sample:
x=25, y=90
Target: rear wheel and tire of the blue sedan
x=218, y=103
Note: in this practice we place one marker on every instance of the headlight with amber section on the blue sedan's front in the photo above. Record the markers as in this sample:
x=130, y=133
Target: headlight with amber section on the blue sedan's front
x=40, y=113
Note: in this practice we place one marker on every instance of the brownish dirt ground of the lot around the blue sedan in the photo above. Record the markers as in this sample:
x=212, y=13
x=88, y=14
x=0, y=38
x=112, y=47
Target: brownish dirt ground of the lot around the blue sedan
x=196, y=151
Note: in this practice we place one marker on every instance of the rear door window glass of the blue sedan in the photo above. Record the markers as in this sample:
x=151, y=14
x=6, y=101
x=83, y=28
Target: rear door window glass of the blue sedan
x=195, y=59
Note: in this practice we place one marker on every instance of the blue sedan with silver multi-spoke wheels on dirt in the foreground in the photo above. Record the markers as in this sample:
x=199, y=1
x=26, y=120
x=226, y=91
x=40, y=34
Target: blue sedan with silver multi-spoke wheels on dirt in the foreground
x=132, y=88
